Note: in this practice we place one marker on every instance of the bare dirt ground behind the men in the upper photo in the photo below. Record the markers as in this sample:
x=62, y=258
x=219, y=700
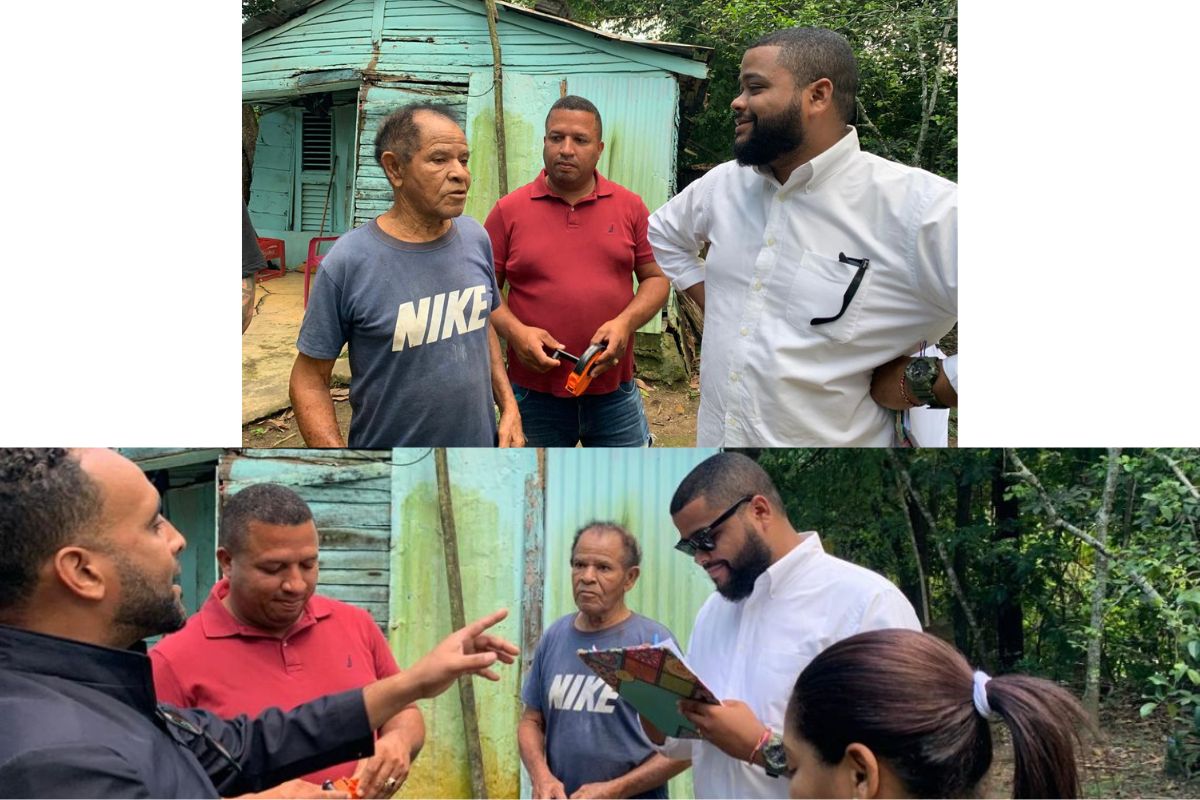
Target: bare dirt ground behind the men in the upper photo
x=671, y=412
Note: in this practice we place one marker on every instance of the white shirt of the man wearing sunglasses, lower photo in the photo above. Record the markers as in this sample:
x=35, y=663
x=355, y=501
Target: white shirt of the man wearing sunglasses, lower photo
x=753, y=651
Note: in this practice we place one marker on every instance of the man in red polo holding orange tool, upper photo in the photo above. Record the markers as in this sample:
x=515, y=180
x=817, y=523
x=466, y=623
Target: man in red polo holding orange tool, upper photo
x=569, y=244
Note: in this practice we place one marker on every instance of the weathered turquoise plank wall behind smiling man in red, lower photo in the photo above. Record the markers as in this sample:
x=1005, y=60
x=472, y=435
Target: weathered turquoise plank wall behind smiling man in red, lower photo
x=350, y=494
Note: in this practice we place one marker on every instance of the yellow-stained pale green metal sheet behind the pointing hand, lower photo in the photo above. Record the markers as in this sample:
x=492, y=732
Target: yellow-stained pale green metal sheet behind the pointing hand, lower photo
x=489, y=496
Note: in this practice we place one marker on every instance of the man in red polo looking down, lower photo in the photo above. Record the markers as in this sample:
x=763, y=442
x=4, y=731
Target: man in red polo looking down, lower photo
x=263, y=639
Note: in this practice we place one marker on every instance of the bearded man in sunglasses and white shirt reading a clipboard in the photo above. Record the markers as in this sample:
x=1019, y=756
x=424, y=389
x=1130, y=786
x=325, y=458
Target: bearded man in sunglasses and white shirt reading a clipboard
x=781, y=600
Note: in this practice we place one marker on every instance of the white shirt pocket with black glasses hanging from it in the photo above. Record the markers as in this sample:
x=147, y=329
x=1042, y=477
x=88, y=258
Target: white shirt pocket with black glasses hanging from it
x=818, y=291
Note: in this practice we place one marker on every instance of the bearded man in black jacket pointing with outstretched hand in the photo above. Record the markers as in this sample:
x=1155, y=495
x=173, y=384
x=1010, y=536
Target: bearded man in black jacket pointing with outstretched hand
x=87, y=570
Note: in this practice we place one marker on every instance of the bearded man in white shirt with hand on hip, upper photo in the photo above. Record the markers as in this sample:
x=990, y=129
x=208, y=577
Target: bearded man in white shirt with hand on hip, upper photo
x=826, y=264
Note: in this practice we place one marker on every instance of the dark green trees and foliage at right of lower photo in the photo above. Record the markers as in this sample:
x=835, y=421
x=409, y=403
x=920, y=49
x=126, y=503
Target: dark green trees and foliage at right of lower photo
x=850, y=497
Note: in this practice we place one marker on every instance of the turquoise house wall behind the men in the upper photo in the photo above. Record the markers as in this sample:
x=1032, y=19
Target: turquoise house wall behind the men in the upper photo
x=399, y=51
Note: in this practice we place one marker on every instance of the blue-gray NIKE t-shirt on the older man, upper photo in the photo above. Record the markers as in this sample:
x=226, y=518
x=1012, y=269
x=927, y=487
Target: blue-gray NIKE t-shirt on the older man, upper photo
x=416, y=318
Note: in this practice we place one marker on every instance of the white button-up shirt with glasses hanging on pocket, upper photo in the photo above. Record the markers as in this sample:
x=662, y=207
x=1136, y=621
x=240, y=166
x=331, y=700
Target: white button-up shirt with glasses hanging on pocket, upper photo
x=769, y=376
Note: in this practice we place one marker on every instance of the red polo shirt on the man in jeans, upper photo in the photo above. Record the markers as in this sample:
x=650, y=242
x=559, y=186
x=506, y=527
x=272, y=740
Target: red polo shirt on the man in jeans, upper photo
x=571, y=269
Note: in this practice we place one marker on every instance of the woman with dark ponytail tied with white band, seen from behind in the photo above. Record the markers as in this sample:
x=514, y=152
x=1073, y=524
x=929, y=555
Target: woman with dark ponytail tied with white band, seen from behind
x=896, y=714
